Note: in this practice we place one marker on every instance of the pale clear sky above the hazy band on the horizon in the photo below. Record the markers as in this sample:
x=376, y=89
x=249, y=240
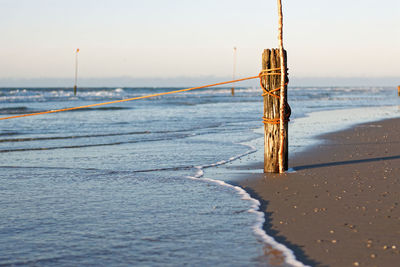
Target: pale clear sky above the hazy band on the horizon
x=171, y=38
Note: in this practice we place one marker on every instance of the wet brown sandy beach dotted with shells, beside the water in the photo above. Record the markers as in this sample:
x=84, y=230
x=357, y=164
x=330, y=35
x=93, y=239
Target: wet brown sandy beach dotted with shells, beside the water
x=341, y=205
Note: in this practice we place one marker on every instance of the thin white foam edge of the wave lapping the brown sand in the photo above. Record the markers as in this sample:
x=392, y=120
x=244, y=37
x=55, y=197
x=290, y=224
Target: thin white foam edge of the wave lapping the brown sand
x=255, y=208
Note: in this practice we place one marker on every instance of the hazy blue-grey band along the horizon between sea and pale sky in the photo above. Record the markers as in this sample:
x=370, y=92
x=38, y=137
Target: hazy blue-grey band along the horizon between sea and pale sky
x=183, y=81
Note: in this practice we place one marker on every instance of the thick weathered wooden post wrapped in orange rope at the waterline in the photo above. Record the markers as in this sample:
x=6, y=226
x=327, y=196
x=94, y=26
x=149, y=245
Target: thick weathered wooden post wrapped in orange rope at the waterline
x=272, y=84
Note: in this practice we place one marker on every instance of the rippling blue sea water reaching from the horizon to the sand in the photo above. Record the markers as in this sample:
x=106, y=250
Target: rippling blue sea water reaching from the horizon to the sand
x=129, y=184
